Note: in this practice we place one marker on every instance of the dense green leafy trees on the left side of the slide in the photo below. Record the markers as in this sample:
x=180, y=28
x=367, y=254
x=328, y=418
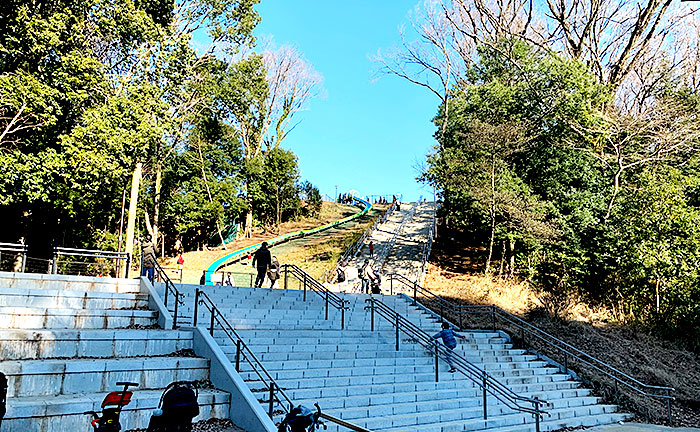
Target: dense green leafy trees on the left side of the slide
x=90, y=88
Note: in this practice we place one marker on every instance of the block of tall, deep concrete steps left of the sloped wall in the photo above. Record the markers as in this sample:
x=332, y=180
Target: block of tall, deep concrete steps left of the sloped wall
x=65, y=341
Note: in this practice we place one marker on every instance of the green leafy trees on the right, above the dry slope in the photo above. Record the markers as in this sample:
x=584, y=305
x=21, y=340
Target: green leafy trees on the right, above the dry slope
x=583, y=200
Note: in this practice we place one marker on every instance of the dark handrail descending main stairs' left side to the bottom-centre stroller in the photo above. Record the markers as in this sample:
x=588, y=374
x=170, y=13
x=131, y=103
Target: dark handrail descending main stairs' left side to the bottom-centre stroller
x=243, y=352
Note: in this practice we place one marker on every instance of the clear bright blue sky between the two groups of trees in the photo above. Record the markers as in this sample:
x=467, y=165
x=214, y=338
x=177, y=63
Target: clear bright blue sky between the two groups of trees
x=365, y=134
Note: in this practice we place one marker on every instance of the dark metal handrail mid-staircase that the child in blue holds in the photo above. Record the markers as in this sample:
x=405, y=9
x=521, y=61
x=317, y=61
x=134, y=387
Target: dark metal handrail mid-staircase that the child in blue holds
x=487, y=383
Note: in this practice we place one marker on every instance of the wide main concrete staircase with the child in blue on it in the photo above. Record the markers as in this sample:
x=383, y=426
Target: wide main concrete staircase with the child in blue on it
x=357, y=374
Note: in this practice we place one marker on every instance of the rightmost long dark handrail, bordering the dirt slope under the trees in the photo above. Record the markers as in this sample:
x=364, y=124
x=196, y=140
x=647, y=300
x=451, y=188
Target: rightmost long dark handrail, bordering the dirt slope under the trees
x=459, y=313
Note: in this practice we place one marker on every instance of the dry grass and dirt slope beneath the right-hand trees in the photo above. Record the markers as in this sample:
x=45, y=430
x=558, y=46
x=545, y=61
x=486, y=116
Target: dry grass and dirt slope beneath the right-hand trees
x=454, y=273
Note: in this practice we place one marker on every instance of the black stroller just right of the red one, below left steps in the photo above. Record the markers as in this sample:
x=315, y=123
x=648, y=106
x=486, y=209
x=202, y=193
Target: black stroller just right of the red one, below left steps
x=177, y=407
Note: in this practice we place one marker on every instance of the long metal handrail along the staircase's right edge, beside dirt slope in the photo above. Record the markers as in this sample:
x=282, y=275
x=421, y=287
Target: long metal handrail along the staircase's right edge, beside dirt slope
x=458, y=311
